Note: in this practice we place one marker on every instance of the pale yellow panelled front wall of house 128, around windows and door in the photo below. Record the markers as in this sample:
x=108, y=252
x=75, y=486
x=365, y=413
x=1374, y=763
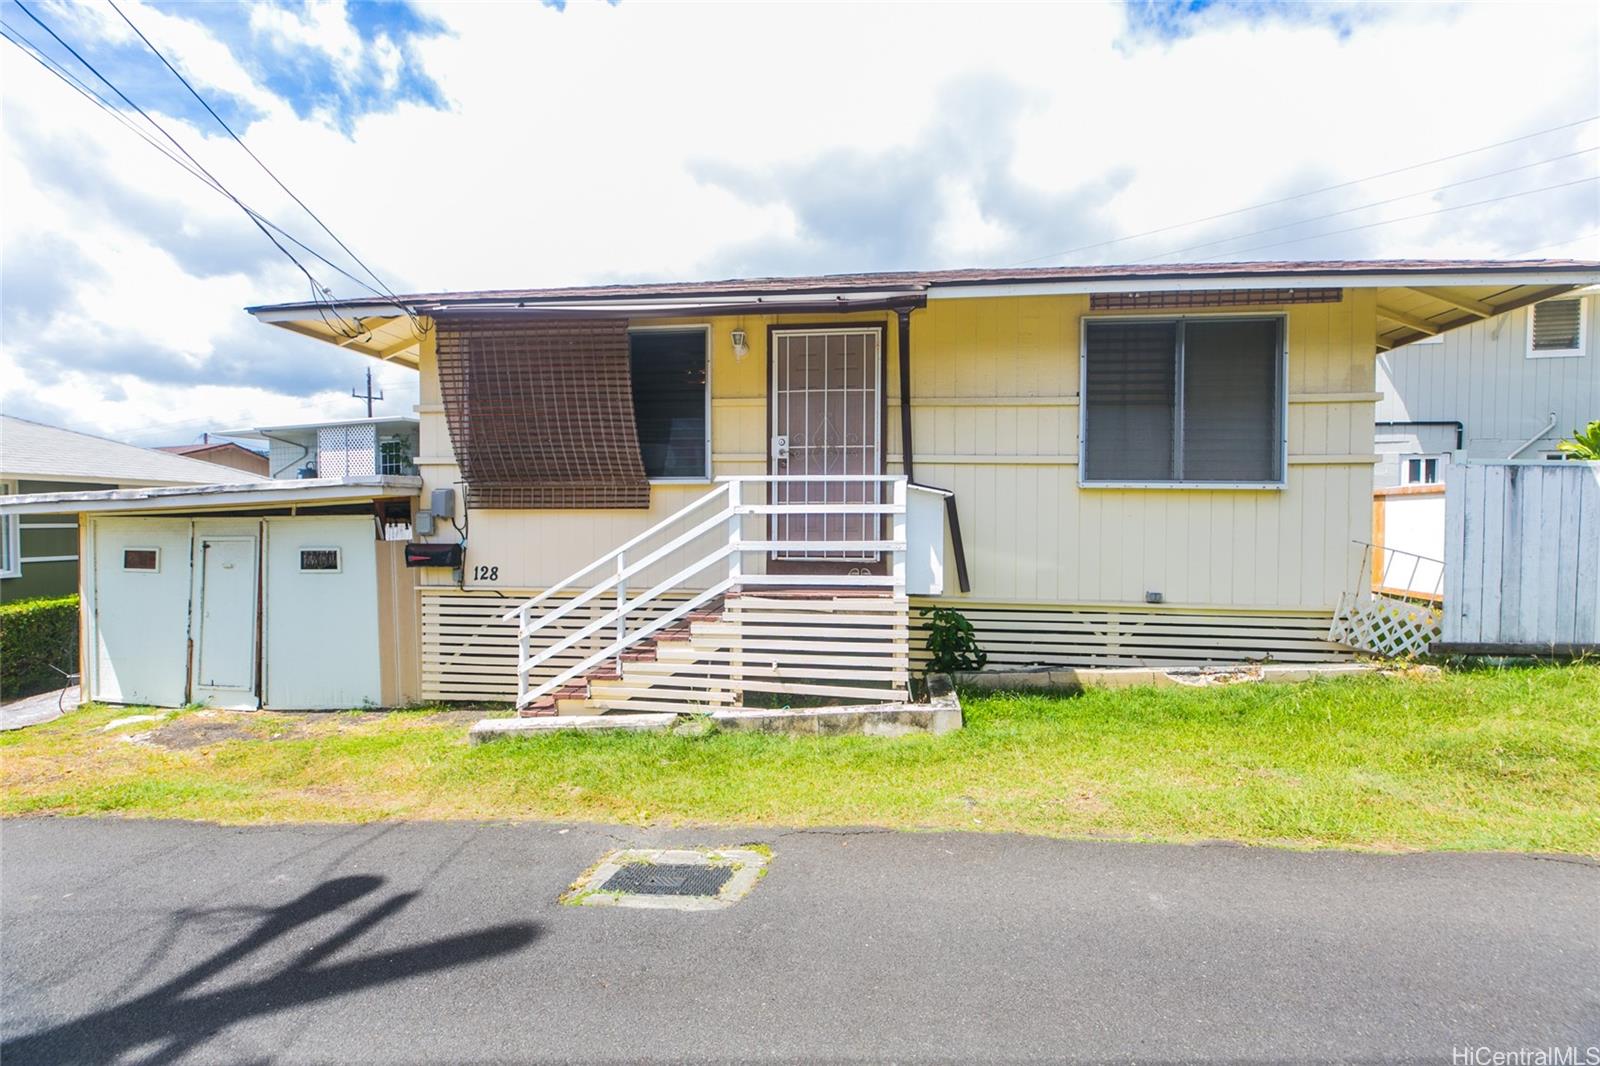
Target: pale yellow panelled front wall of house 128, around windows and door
x=996, y=419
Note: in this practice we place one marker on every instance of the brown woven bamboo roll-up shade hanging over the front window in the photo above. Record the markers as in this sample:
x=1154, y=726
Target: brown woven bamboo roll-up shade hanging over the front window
x=542, y=414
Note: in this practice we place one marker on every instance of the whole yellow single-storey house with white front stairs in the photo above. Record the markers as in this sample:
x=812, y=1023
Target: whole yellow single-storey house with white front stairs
x=687, y=494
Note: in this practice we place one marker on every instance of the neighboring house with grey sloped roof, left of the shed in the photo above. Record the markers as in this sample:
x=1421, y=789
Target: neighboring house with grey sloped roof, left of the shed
x=39, y=555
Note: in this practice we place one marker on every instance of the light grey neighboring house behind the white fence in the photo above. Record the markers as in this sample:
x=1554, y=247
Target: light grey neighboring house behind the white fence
x=1503, y=387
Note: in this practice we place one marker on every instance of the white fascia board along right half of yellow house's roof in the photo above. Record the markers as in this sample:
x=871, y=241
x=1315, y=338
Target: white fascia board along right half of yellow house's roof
x=946, y=291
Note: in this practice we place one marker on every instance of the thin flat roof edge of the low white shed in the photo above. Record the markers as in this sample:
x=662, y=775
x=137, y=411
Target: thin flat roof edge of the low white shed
x=234, y=497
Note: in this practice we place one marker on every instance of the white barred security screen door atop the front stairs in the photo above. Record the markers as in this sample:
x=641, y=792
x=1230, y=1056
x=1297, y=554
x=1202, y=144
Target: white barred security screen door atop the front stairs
x=826, y=420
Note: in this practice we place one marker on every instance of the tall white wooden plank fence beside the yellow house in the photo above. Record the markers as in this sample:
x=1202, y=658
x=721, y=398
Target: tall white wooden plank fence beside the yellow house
x=1522, y=558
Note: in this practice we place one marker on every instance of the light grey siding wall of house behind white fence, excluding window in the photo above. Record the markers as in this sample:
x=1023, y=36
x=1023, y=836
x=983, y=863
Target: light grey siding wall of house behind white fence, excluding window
x=1482, y=377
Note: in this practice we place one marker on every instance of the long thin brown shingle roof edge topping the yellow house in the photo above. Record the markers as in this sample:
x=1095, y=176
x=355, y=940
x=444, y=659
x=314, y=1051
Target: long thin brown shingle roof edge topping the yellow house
x=921, y=281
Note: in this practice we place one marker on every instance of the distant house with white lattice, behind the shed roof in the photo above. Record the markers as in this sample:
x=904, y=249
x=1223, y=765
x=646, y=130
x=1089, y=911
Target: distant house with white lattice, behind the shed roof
x=338, y=449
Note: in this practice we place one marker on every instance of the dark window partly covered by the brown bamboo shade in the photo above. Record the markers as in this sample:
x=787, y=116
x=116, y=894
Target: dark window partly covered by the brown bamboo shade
x=671, y=403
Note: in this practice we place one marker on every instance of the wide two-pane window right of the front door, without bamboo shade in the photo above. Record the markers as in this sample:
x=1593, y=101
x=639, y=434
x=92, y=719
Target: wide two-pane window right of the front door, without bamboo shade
x=1183, y=403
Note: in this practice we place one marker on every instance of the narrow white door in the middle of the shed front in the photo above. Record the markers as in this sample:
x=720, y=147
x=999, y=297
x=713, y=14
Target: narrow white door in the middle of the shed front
x=225, y=665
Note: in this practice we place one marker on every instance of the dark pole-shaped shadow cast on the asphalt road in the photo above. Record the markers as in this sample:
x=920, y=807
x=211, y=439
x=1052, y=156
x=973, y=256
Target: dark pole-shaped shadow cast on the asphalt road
x=174, y=1020
